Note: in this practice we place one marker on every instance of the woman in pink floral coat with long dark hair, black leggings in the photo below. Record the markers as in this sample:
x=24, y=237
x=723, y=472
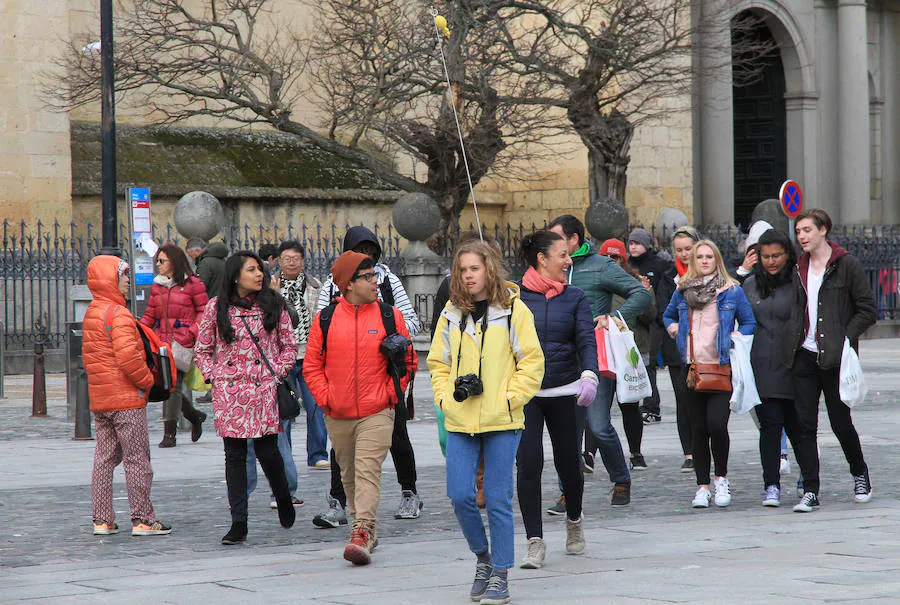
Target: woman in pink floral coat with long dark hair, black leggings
x=243, y=387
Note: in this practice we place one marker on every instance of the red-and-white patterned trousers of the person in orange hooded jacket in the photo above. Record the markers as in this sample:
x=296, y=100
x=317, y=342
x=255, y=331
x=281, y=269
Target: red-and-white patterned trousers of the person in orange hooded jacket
x=122, y=437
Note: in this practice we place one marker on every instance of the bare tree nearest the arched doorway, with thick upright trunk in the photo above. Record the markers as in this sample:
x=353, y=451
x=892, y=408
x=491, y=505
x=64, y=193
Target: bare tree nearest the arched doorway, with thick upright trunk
x=613, y=64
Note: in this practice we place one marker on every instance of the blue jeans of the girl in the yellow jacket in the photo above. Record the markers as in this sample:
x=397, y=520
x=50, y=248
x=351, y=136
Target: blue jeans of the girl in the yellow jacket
x=464, y=454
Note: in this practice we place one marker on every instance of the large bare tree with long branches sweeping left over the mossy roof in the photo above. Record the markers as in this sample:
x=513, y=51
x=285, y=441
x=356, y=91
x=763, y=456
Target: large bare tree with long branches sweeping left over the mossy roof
x=377, y=76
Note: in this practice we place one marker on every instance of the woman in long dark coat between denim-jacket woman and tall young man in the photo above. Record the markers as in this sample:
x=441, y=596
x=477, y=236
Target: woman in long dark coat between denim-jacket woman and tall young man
x=770, y=292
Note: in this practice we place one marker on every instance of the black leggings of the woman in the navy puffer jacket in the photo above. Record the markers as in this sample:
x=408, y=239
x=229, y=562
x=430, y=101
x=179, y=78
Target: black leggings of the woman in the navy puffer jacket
x=559, y=414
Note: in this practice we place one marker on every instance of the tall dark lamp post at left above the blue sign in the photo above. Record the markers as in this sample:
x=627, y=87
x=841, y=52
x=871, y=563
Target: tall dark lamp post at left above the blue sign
x=108, y=132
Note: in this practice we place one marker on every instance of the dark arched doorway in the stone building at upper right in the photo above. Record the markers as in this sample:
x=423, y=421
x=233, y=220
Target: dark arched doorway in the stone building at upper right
x=760, y=118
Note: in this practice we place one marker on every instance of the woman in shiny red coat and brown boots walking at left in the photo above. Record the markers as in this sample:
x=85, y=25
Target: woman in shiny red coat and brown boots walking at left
x=177, y=299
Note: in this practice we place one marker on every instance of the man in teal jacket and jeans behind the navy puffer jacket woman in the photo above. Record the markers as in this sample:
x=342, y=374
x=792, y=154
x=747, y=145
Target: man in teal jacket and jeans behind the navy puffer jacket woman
x=600, y=278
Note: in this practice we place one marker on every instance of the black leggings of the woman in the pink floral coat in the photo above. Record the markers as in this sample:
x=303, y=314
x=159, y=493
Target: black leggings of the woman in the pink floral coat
x=266, y=448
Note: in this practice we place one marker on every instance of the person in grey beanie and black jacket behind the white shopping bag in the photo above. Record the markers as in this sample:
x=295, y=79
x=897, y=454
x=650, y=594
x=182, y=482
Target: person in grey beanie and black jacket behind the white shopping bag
x=661, y=274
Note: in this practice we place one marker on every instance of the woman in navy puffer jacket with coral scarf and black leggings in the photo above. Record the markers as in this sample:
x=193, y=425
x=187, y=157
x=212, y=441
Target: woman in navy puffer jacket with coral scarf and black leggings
x=565, y=327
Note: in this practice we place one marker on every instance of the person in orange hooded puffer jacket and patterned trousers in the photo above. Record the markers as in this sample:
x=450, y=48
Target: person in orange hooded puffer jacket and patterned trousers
x=118, y=383
